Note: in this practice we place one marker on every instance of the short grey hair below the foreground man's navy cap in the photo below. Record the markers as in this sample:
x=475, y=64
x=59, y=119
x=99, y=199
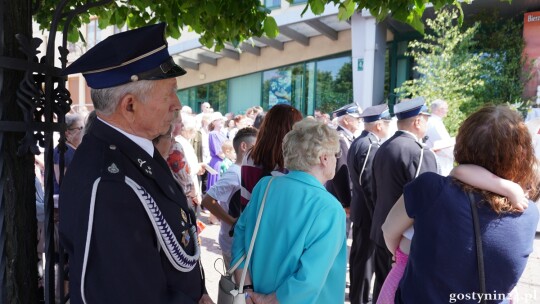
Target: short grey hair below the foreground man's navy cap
x=106, y=100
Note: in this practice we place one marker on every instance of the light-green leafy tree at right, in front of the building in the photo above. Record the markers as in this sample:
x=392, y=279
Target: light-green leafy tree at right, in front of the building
x=470, y=66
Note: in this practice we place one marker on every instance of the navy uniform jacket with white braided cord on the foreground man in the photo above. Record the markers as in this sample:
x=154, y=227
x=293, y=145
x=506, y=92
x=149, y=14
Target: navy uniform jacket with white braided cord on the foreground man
x=126, y=264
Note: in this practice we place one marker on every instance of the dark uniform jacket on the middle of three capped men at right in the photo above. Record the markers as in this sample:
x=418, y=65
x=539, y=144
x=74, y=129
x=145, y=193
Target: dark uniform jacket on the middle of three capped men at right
x=361, y=154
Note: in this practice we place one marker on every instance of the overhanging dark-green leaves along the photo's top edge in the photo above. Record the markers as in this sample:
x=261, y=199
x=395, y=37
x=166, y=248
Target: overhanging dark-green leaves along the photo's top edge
x=220, y=21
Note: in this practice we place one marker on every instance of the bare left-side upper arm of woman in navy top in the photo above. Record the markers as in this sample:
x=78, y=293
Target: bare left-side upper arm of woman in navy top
x=395, y=224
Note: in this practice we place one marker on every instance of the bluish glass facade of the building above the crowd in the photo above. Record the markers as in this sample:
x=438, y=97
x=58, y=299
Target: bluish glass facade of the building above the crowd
x=324, y=84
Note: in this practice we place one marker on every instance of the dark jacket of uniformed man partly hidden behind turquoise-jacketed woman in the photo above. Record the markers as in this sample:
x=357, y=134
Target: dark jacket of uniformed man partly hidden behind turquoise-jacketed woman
x=340, y=186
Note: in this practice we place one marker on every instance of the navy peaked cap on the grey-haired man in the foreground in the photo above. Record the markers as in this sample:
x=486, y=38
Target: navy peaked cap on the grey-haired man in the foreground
x=139, y=54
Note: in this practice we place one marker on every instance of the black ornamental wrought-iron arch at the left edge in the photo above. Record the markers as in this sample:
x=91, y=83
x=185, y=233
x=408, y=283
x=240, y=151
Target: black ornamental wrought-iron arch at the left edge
x=44, y=101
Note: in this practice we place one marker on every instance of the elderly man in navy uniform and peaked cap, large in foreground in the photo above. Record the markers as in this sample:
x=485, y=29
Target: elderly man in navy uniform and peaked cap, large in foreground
x=124, y=221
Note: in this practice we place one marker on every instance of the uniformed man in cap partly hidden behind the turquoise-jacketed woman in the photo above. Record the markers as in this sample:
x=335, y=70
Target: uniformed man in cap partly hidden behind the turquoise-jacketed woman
x=340, y=186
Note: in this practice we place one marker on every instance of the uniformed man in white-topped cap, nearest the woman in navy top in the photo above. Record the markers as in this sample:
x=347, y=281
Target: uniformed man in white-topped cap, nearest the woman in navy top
x=398, y=161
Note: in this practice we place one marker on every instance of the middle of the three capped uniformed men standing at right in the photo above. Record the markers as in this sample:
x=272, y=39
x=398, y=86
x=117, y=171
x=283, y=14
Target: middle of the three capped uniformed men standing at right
x=359, y=160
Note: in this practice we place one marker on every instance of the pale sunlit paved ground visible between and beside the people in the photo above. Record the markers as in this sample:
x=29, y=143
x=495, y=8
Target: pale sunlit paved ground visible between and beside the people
x=528, y=287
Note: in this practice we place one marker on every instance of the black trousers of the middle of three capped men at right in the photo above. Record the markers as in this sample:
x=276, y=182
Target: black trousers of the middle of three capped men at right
x=361, y=265
